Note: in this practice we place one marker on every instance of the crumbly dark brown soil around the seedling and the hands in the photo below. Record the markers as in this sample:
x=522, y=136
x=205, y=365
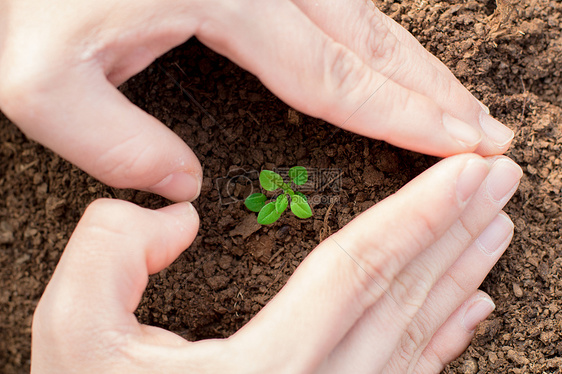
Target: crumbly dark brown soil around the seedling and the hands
x=509, y=55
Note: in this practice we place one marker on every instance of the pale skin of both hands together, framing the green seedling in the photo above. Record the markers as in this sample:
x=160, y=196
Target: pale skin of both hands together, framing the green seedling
x=394, y=291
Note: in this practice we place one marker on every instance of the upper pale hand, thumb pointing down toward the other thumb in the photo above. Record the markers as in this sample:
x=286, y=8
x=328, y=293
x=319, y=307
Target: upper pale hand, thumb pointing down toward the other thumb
x=343, y=61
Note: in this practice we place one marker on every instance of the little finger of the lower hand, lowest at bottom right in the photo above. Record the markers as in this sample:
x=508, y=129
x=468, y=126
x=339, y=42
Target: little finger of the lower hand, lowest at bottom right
x=455, y=335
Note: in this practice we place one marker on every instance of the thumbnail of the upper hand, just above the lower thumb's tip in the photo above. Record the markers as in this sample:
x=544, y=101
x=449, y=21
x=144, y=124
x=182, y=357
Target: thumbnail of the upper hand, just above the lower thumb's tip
x=178, y=186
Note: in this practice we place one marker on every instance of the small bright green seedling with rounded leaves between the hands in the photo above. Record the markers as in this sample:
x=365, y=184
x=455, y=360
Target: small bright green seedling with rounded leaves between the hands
x=271, y=181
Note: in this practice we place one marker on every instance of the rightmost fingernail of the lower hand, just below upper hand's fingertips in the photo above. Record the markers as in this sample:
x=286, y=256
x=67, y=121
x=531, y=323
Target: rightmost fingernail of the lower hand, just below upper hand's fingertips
x=503, y=179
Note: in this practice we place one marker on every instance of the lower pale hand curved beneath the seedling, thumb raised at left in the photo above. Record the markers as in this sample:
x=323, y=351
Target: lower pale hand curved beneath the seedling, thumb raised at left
x=394, y=291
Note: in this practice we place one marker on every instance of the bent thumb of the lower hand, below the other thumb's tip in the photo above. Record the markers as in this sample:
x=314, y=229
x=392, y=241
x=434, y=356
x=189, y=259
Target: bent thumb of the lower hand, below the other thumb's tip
x=154, y=240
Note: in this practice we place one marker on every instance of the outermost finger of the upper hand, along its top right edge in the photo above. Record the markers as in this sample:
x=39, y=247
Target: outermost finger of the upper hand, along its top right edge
x=390, y=50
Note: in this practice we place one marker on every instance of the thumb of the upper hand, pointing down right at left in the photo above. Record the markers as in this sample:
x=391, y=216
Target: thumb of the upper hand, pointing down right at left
x=103, y=133
